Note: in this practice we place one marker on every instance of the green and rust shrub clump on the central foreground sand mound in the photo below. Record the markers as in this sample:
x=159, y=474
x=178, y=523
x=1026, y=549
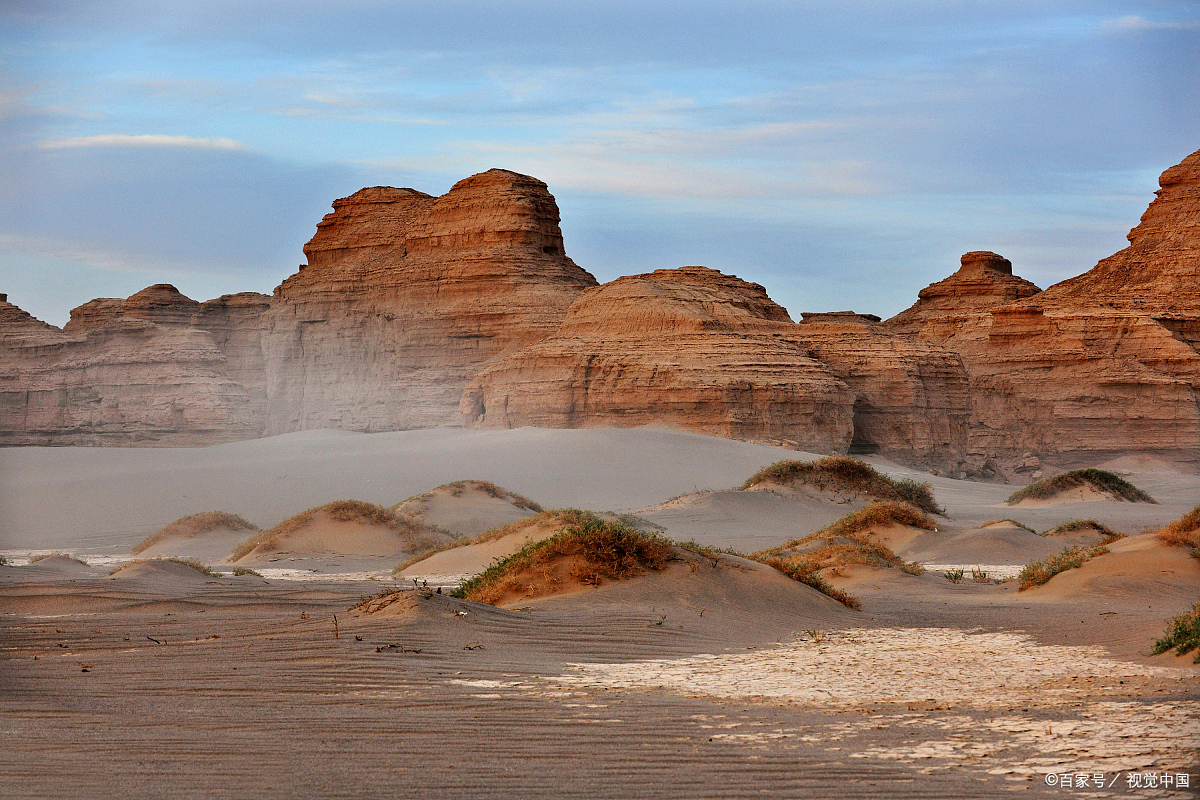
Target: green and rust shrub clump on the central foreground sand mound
x=587, y=552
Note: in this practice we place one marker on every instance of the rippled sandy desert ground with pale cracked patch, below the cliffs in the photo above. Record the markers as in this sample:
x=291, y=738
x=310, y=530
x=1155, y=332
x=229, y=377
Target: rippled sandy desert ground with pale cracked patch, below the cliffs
x=716, y=678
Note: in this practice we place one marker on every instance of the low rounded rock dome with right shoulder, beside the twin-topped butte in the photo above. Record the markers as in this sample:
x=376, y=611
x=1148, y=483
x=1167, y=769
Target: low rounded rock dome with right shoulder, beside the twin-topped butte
x=697, y=350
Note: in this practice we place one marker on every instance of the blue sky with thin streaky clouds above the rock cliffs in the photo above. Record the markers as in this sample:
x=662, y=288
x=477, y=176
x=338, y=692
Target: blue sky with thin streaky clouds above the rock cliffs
x=842, y=154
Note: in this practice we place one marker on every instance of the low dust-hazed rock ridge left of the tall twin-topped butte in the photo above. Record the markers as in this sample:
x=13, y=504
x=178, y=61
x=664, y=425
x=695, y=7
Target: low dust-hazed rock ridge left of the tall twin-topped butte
x=136, y=371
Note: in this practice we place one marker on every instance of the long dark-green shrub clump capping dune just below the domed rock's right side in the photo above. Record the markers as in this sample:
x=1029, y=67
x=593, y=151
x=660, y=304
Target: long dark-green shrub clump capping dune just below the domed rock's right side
x=847, y=474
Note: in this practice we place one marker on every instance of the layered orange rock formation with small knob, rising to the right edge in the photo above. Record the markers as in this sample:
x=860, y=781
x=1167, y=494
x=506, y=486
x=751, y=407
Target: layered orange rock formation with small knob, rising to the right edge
x=1100, y=365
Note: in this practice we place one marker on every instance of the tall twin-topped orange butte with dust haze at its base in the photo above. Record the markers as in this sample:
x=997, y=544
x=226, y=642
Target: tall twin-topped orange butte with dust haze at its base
x=406, y=297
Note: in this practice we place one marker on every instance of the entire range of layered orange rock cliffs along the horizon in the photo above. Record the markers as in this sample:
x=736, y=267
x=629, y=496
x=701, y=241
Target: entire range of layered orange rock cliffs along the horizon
x=416, y=311
